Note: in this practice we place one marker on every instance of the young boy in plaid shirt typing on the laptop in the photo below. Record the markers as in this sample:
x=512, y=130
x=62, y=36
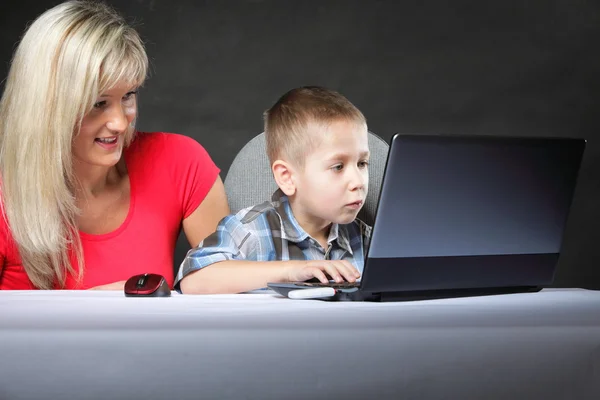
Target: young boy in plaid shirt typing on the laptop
x=317, y=144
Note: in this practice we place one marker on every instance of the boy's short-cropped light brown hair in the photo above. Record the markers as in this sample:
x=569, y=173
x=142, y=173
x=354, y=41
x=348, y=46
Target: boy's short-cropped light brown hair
x=291, y=123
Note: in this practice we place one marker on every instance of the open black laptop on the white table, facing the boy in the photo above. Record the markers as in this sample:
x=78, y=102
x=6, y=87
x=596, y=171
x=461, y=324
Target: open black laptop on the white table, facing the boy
x=463, y=216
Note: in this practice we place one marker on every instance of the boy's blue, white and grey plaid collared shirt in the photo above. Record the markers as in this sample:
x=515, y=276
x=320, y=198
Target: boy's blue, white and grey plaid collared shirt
x=269, y=232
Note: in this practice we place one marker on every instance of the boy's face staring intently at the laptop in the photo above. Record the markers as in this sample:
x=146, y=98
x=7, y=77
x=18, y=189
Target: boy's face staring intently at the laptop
x=333, y=184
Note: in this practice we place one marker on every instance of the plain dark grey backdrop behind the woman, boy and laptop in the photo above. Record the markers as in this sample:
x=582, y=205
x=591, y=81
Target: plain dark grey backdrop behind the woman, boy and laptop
x=514, y=68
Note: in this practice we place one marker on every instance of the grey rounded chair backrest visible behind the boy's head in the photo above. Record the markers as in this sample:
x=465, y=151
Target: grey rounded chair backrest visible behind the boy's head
x=249, y=180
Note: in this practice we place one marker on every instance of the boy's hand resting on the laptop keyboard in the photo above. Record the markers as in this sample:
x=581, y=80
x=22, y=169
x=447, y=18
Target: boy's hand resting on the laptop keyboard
x=338, y=270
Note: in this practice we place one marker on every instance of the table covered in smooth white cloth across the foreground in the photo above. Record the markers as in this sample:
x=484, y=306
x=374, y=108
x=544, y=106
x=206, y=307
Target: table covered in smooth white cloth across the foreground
x=102, y=345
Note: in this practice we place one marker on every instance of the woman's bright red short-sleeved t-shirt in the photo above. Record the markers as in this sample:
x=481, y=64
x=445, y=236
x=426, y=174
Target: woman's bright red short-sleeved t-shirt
x=169, y=175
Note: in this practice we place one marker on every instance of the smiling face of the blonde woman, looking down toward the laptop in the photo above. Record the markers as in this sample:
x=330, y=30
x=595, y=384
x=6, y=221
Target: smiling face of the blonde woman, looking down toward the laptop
x=102, y=135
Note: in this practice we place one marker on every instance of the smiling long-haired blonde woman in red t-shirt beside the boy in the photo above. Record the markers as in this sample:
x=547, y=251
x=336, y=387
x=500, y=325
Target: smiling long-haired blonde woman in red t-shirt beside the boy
x=87, y=201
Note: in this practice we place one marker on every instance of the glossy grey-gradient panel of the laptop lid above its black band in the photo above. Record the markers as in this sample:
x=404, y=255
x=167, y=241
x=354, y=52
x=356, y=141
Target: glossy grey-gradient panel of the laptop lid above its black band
x=457, y=196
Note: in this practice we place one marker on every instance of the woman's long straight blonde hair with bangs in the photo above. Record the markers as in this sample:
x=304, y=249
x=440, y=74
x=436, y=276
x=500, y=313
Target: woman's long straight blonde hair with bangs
x=67, y=57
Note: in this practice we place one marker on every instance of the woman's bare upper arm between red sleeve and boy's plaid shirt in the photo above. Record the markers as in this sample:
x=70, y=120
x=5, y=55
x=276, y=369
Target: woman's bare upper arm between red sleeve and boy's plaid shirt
x=204, y=220
